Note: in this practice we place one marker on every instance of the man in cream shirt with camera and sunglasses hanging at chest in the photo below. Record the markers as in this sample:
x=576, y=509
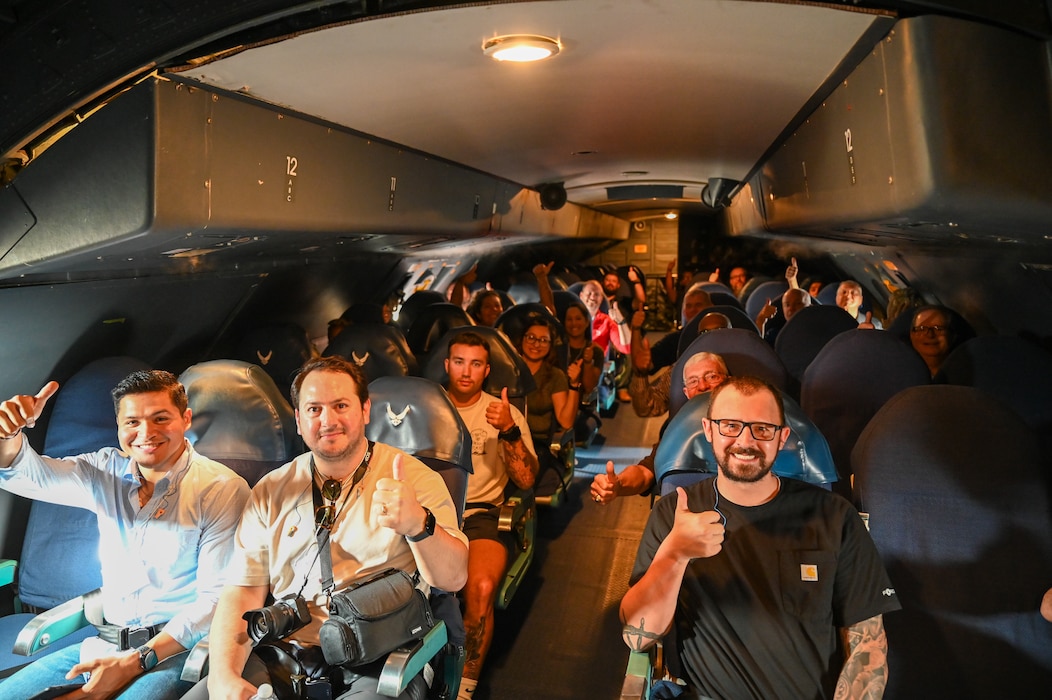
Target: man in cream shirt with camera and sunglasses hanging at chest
x=383, y=507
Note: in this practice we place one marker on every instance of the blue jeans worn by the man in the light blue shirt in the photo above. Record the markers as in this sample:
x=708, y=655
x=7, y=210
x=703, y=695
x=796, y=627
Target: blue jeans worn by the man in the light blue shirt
x=161, y=684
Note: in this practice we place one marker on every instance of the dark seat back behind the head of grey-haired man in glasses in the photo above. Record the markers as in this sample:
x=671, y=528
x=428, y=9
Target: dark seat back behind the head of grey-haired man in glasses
x=743, y=352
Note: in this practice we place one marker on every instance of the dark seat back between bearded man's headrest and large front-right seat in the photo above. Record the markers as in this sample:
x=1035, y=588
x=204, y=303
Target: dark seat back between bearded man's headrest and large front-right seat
x=849, y=381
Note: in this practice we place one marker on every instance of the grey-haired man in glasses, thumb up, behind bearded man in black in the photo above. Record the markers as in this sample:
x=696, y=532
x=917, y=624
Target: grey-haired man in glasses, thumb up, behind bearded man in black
x=701, y=373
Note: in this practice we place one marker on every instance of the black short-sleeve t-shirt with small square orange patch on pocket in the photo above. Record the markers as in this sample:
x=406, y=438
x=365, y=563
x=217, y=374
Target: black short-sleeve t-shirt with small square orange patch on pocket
x=761, y=618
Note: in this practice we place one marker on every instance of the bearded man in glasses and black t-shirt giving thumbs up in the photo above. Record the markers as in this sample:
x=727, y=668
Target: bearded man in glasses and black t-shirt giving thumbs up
x=758, y=576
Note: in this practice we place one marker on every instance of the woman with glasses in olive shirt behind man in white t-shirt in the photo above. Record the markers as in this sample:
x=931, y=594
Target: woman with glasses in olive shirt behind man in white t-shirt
x=554, y=405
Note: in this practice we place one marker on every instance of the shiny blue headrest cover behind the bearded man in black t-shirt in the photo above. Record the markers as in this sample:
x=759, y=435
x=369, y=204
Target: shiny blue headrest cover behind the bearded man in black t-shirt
x=685, y=455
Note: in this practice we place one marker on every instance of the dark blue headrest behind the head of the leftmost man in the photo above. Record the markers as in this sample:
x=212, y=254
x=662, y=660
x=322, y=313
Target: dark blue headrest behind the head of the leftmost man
x=83, y=412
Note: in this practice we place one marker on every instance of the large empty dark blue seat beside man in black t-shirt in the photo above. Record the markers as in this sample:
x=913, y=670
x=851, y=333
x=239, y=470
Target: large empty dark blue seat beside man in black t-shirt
x=959, y=508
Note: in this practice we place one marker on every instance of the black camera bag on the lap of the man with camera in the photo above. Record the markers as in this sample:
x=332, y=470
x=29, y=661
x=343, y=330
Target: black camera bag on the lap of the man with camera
x=374, y=617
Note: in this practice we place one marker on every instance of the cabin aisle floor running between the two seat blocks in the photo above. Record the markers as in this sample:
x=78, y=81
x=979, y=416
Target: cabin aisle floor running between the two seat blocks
x=561, y=636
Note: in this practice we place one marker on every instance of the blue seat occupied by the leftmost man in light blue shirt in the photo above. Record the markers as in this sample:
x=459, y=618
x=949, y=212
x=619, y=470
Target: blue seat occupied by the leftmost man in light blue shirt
x=60, y=553
